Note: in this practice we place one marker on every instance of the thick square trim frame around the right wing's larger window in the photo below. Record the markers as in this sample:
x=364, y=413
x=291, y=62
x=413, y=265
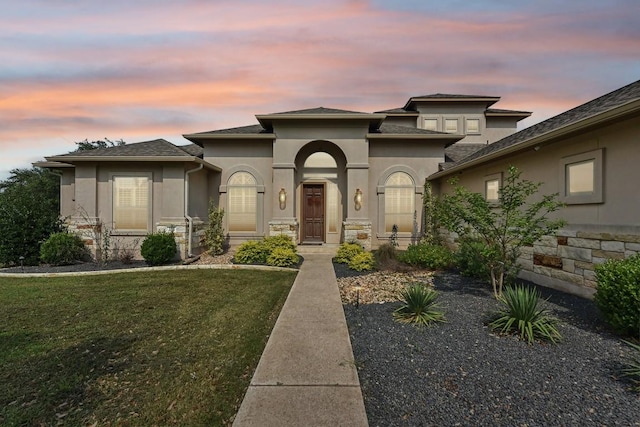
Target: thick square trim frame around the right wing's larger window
x=596, y=196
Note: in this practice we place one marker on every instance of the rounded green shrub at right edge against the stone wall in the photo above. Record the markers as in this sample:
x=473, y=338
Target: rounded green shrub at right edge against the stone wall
x=618, y=294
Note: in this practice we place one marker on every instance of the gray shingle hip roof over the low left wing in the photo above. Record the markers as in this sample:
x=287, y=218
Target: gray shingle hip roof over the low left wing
x=157, y=147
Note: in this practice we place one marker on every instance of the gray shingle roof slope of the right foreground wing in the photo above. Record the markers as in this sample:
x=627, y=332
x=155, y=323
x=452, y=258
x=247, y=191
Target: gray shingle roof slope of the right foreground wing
x=599, y=105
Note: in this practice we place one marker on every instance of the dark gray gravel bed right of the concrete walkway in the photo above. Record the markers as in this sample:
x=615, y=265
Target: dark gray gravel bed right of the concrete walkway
x=459, y=373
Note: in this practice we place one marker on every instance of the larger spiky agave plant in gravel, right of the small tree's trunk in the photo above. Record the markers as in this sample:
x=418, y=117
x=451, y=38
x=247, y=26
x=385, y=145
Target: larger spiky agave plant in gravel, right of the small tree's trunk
x=521, y=312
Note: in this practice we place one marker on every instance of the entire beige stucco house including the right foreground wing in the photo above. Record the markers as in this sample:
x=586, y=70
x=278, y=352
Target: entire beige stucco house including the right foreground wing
x=326, y=176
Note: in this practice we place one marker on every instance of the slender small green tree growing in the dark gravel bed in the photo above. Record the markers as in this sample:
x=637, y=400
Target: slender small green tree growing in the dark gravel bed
x=504, y=227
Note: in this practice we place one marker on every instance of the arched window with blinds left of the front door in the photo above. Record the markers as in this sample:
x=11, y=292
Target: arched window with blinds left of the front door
x=242, y=202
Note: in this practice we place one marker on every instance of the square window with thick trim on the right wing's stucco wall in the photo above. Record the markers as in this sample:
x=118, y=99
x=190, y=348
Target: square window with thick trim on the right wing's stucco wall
x=581, y=178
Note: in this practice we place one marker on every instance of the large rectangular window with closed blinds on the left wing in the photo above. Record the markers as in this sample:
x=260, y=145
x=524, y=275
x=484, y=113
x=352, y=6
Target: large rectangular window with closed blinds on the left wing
x=131, y=207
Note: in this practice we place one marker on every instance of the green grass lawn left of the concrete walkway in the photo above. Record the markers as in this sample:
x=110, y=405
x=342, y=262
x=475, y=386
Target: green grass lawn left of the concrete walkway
x=152, y=348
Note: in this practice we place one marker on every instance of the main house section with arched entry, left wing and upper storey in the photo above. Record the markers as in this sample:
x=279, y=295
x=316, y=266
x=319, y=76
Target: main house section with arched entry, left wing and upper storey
x=321, y=175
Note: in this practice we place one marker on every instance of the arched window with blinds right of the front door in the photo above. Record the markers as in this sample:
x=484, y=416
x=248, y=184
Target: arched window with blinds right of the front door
x=399, y=202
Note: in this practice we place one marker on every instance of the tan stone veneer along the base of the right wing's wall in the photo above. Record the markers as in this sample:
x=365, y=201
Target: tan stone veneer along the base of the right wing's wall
x=567, y=261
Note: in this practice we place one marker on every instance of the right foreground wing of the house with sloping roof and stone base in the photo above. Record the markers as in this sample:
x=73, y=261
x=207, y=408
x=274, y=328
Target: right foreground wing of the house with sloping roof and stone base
x=589, y=156
